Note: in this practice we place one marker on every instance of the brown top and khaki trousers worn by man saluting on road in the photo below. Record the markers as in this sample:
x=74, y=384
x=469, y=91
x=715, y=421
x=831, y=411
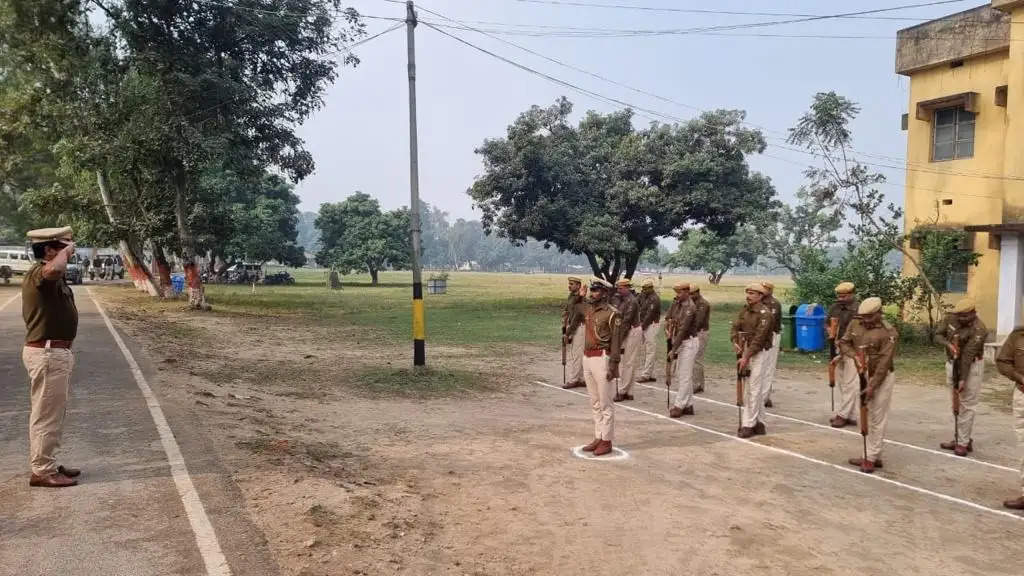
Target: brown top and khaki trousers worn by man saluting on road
x=51, y=315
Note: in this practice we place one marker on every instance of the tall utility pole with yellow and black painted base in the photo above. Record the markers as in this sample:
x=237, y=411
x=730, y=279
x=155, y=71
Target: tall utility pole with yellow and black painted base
x=419, y=327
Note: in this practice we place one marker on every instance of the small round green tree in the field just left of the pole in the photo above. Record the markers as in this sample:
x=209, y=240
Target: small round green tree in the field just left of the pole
x=357, y=235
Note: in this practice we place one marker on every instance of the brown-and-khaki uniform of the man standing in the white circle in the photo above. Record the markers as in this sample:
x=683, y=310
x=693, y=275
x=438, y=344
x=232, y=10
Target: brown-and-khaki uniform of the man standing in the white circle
x=602, y=352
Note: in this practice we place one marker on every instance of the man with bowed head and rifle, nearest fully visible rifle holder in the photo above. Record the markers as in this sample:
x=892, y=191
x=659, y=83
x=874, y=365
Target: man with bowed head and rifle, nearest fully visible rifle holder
x=872, y=342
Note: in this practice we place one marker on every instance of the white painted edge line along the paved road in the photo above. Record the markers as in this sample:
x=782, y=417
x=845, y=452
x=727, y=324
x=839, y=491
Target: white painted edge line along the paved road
x=206, y=539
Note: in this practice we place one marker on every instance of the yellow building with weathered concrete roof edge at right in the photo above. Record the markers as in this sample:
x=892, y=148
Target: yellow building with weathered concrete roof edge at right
x=965, y=162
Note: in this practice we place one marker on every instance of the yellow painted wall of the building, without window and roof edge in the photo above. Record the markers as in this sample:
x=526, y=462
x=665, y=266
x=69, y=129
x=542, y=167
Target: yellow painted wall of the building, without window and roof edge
x=976, y=200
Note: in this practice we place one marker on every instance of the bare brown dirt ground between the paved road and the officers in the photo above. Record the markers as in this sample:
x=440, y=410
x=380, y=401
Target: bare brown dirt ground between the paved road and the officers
x=349, y=482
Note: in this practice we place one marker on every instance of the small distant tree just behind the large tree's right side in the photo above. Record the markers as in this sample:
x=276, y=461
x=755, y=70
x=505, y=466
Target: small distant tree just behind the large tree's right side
x=705, y=251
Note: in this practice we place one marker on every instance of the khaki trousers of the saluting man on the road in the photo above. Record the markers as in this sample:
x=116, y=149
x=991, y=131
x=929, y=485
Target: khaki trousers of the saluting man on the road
x=50, y=376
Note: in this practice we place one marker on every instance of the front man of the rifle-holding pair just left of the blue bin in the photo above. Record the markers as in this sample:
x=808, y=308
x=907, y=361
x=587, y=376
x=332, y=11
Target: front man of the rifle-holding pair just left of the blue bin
x=751, y=336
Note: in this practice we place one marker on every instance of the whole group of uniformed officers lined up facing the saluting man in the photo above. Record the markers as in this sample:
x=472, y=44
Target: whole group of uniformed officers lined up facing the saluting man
x=611, y=336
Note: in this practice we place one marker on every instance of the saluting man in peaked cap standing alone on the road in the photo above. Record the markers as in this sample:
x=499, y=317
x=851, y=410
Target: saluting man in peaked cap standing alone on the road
x=52, y=324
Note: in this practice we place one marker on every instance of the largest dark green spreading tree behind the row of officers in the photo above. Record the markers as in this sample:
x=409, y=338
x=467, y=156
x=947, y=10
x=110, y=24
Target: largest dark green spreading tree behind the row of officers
x=605, y=190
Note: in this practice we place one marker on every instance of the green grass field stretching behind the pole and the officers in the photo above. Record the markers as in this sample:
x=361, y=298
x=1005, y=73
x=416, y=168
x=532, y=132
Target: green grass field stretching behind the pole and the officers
x=485, y=312
